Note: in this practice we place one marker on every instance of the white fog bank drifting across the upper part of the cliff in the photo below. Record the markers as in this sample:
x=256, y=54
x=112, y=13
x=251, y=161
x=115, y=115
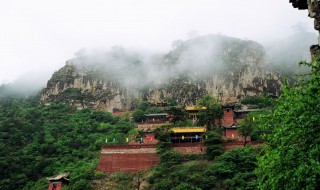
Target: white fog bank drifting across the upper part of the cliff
x=197, y=58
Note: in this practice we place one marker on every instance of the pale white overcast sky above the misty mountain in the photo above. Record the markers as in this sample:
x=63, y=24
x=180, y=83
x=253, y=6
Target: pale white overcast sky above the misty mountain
x=37, y=37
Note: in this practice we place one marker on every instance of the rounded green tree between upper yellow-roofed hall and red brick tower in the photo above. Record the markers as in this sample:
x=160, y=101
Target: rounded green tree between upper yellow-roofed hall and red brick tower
x=212, y=112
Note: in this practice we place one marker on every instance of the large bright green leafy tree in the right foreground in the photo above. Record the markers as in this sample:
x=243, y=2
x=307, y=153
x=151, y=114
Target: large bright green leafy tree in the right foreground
x=292, y=158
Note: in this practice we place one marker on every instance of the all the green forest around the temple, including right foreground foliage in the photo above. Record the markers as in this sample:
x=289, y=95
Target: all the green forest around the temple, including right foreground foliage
x=37, y=141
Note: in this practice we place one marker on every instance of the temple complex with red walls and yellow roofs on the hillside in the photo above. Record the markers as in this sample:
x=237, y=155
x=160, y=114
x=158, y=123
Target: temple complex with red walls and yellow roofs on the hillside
x=141, y=155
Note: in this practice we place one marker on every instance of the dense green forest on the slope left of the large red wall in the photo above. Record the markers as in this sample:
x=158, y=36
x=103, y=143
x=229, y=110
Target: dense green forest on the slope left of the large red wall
x=41, y=141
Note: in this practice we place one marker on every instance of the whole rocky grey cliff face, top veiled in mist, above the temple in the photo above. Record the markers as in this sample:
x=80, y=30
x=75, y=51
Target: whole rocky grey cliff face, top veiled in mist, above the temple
x=226, y=68
